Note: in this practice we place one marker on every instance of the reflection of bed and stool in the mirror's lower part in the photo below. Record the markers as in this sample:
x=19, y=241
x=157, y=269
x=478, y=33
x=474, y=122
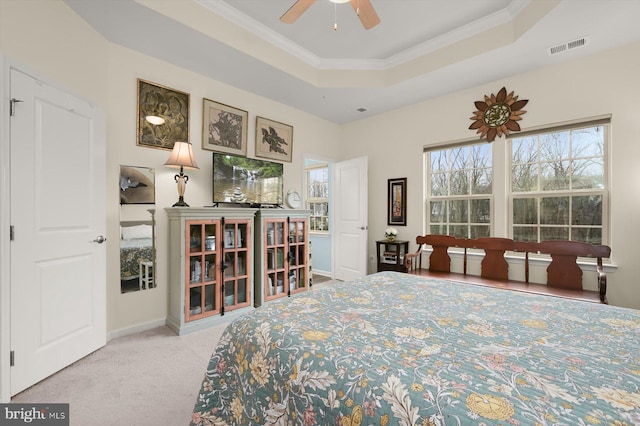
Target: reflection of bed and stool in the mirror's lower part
x=136, y=255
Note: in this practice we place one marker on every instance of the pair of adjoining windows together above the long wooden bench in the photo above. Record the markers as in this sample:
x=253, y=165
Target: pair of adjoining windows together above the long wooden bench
x=533, y=186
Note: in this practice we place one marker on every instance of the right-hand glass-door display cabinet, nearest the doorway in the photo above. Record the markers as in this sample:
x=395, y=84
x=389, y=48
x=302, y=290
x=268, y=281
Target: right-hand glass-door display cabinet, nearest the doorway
x=282, y=254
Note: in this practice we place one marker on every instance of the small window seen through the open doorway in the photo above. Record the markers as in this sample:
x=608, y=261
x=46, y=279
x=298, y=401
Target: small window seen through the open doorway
x=318, y=197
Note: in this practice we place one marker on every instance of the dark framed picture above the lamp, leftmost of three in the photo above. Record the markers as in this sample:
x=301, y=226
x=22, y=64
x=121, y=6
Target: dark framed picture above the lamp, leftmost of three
x=163, y=116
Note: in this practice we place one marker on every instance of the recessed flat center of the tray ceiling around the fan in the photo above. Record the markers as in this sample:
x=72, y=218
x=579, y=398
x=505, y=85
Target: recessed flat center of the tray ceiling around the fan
x=404, y=24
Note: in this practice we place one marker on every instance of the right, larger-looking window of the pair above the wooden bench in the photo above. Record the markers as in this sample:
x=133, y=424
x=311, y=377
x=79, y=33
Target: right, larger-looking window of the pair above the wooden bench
x=558, y=185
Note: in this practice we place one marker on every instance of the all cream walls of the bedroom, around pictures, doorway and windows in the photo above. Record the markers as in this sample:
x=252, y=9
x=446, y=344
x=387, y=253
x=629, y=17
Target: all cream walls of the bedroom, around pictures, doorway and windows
x=47, y=37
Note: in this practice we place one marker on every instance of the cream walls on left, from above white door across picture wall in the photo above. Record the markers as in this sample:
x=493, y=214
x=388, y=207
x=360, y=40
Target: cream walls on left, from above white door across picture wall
x=48, y=38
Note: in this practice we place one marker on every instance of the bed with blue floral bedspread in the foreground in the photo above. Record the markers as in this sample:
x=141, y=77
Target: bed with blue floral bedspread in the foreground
x=399, y=349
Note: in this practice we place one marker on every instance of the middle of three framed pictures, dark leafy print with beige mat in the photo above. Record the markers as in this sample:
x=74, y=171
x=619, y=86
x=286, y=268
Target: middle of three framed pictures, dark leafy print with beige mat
x=224, y=128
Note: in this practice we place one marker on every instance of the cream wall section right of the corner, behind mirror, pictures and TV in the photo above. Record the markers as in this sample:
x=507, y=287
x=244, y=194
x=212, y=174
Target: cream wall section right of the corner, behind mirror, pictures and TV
x=311, y=136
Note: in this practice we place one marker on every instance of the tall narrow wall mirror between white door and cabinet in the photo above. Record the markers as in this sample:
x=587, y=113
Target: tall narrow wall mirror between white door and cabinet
x=137, y=229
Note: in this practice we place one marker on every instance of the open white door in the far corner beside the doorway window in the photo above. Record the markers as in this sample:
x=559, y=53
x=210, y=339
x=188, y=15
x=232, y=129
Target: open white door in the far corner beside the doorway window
x=351, y=220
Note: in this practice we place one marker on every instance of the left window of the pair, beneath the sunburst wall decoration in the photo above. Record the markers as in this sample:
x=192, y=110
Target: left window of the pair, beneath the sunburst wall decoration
x=460, y=181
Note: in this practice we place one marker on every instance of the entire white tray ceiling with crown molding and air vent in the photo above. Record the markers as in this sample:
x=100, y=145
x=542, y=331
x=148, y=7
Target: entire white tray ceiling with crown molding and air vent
x=420, y=50
